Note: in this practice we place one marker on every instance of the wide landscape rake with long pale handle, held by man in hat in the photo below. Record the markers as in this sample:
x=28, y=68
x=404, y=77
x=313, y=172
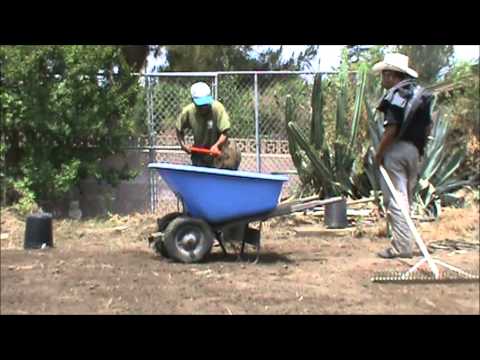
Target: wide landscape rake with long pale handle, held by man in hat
x=415, y=274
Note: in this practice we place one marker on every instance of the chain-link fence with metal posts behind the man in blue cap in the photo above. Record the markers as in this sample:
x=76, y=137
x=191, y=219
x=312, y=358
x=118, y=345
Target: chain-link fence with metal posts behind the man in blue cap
x=255, y=102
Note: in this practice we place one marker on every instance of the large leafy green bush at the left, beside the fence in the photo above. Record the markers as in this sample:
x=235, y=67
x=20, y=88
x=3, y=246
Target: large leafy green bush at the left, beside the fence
x=64, y=110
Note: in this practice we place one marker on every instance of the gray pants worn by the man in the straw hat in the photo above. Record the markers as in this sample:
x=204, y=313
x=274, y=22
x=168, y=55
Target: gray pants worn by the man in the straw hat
x=401, y=161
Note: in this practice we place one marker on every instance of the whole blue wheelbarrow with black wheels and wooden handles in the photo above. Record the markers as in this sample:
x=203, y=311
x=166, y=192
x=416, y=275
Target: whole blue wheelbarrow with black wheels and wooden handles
x=219, y=205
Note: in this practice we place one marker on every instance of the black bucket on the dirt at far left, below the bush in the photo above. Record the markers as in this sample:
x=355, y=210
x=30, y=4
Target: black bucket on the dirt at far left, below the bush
x=38, y=231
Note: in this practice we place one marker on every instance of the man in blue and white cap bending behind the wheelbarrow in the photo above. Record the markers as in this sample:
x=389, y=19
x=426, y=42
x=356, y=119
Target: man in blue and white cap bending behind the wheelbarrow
x=209, y=122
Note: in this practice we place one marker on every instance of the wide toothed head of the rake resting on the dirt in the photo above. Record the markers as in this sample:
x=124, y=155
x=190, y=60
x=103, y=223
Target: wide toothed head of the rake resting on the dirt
x=420, y=277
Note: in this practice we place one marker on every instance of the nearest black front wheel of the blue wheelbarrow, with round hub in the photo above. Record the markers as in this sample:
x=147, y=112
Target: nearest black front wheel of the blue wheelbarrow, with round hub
x=188, y=239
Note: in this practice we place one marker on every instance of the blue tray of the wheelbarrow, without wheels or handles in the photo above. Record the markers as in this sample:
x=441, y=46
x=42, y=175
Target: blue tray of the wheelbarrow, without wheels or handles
x=219, y=196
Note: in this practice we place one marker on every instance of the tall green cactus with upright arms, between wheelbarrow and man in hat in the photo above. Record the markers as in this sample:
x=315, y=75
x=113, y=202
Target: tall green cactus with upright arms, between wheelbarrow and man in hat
x=330, y=167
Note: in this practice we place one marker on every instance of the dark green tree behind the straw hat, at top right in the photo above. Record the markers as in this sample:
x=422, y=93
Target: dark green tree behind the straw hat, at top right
x=428, y=60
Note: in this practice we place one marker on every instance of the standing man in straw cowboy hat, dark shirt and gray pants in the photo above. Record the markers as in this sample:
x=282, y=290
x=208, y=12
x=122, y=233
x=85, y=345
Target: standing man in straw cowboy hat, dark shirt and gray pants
x=406, y=107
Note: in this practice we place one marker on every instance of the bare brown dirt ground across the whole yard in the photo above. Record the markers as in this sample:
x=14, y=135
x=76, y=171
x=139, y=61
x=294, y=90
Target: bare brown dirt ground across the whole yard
x=106, y=267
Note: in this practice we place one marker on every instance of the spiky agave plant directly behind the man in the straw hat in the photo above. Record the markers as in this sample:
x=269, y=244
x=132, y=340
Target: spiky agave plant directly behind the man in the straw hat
x=436, y=181
